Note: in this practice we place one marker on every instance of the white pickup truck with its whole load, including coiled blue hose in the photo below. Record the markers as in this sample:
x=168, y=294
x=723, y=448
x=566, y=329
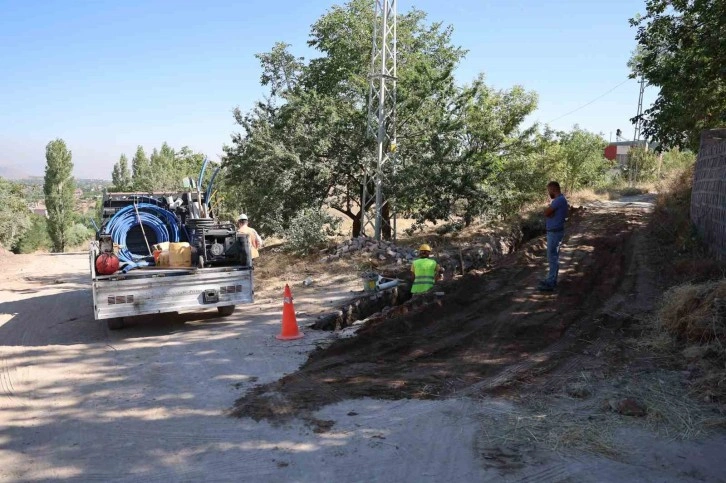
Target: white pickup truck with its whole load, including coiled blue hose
x=216, y=269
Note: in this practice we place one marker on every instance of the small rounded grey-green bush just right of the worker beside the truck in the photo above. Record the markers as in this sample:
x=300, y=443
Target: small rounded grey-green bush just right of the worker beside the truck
x=309, y=229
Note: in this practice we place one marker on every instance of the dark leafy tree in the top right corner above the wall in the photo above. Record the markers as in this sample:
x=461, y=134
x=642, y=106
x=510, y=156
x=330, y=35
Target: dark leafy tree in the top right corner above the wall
x=682, y=51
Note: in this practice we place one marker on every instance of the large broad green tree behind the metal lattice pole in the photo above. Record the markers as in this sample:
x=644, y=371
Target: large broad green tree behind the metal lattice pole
x=306, y=144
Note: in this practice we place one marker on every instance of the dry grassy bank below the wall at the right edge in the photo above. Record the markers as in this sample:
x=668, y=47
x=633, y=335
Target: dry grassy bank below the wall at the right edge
x=690, y=323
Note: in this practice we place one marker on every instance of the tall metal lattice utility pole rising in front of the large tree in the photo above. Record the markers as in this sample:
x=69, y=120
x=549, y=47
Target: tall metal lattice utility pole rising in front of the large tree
x=381, y=119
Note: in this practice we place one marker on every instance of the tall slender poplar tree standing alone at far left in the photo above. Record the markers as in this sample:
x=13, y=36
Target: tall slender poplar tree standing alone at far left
x=59, y=187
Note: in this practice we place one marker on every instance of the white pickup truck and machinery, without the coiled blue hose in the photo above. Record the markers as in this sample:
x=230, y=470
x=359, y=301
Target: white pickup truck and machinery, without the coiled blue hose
x=221, y=276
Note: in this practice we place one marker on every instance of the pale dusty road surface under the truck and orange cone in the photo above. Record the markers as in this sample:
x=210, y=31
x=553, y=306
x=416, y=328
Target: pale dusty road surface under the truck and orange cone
x=149, y=403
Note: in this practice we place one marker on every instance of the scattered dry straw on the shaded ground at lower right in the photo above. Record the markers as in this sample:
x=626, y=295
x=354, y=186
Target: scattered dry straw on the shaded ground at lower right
x=589, y=425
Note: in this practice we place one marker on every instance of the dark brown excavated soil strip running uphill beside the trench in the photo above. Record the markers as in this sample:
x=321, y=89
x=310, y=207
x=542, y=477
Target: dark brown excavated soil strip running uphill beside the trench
x=490, y=330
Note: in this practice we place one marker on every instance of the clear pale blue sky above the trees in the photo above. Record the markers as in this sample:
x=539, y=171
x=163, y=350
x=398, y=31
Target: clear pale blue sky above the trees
x=108, y=75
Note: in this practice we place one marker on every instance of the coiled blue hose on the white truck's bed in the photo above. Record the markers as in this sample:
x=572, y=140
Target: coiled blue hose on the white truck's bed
x=162, y=223
